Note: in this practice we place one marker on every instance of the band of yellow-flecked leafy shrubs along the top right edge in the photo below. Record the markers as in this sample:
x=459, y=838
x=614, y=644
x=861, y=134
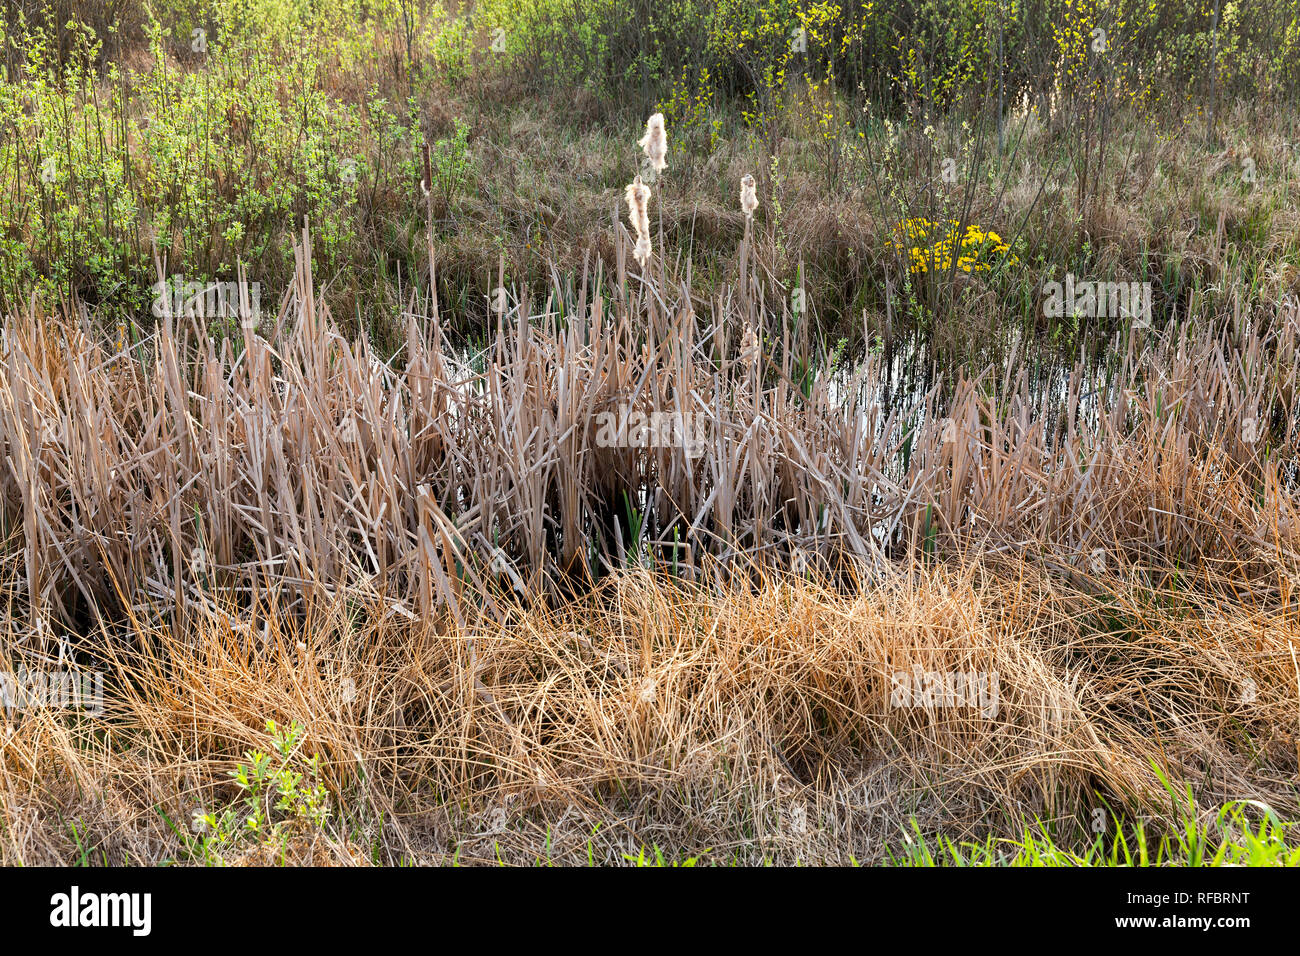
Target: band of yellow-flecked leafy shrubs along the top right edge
x=937, y=50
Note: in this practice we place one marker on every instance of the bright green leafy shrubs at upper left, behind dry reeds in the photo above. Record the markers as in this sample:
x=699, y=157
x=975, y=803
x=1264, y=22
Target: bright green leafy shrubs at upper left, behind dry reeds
x=206, y=165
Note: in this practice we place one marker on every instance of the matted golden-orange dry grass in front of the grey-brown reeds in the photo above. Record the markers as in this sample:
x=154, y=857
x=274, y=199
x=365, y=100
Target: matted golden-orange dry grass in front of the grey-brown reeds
x=756, y=724
